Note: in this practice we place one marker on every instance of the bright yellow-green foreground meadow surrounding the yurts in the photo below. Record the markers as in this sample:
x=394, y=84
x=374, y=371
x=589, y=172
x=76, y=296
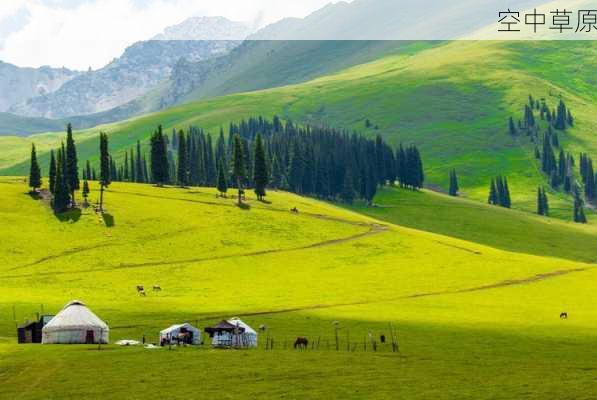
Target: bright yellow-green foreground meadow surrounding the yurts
x=473, y=321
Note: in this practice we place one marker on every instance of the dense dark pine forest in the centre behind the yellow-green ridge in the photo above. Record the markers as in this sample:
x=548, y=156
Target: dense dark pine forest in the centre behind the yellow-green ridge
x=258, y=153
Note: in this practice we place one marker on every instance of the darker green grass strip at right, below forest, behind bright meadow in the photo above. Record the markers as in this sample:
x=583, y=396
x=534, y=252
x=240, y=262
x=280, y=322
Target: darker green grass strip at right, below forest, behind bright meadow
x=510, y=230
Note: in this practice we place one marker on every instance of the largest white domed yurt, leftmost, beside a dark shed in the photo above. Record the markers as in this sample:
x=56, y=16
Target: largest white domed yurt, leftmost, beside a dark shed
x=75, y=324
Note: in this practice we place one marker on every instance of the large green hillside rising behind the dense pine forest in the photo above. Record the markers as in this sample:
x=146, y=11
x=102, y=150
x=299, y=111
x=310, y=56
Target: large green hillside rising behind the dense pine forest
x=453, y=101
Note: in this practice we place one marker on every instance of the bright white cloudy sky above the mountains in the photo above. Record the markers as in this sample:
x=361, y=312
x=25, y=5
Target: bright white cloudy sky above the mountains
x=79, y=34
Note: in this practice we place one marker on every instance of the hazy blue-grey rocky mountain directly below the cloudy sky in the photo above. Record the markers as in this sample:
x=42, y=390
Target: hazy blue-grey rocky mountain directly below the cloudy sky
x=141, y=68
